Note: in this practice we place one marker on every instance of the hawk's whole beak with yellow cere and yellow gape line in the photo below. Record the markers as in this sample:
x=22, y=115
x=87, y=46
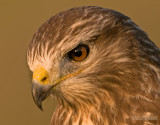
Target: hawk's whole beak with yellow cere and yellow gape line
x=42, y=86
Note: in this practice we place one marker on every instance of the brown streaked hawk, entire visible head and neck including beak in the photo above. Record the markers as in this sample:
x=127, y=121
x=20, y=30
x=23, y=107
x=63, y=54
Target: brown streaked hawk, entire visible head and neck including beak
x=99, y=65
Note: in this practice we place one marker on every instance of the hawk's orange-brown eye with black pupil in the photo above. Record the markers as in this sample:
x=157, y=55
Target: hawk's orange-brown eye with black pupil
x=79, y=53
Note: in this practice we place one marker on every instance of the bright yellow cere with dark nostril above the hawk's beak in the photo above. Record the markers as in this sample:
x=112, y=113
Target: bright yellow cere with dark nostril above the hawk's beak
x=41, y=75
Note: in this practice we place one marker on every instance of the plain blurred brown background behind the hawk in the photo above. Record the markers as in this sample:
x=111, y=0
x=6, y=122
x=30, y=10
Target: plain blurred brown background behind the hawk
x=19, y=19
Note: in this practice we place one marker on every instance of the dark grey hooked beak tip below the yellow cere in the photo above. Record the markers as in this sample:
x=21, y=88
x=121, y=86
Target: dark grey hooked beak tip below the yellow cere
x=40, y=92
